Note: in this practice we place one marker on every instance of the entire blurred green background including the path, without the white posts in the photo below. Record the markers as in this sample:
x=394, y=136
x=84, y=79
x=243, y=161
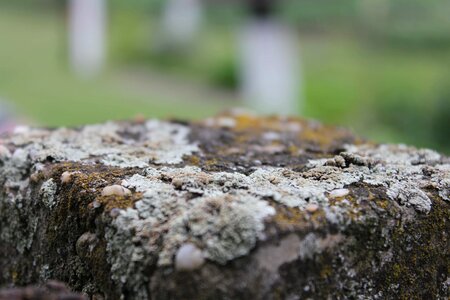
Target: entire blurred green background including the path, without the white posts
x=382, y=70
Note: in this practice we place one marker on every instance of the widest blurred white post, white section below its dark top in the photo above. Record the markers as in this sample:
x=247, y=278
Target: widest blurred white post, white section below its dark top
x=269, y=67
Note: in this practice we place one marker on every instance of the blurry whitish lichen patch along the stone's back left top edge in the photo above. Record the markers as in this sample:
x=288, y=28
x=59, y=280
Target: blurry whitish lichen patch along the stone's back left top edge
x=113, y=144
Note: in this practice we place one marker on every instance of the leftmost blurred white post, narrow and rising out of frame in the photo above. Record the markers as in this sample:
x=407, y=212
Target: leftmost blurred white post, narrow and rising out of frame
x=87, y=36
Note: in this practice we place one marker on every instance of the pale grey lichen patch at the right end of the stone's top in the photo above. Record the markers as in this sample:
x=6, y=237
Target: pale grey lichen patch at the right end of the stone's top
x=403, y=171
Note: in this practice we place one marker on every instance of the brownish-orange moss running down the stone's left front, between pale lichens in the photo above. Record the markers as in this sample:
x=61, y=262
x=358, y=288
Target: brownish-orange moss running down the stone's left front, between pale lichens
x=75, y=214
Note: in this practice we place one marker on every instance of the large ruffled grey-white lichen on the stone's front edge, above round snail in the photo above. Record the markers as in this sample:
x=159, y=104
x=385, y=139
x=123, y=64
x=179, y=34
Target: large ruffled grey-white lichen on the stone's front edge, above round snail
x=224, y=225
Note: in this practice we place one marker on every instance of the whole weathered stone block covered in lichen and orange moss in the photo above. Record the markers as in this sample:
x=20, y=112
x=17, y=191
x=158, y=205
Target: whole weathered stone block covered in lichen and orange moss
x=233, y=207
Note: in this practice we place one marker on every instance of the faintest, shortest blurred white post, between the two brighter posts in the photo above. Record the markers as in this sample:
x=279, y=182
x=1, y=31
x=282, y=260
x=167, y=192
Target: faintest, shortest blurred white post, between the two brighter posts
x=181, y=22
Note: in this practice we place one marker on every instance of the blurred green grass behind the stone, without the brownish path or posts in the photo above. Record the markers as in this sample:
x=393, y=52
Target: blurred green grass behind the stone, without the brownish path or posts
x=388, y=93
